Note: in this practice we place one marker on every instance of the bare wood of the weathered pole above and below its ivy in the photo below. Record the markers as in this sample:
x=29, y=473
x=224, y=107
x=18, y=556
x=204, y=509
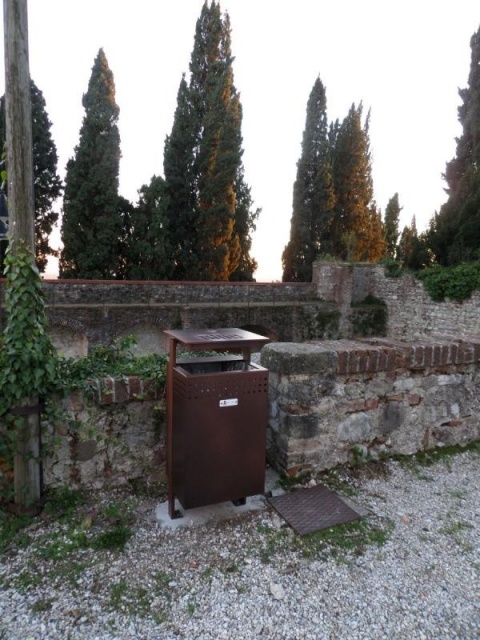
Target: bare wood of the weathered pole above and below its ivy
x=21, y=211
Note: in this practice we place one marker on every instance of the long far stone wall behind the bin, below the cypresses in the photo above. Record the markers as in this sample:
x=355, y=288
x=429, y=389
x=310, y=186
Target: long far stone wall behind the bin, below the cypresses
x=82, y=314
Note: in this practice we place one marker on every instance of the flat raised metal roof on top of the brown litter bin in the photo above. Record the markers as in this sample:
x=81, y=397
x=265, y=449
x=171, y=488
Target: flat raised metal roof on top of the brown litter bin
x=217, y=338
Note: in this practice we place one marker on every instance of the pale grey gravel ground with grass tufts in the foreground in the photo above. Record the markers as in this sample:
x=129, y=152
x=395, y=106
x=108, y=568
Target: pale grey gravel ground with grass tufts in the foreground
x=409, y=570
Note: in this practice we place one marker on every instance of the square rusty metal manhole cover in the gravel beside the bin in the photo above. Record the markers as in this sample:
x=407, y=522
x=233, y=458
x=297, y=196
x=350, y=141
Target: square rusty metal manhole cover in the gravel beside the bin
x=308, y=510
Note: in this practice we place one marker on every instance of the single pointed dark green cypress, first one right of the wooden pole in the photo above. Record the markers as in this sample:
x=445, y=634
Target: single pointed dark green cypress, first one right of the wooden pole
x=92, y=227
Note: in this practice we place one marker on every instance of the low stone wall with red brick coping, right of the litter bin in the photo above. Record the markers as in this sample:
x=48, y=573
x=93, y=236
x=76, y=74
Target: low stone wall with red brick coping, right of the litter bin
x=334, y=400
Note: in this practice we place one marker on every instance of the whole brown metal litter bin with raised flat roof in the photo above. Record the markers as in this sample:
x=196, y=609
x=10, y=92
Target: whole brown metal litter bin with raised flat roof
x=217, y=410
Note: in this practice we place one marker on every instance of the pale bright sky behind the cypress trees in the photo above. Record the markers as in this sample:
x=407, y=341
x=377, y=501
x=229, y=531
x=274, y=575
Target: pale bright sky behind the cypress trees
x=405, y=61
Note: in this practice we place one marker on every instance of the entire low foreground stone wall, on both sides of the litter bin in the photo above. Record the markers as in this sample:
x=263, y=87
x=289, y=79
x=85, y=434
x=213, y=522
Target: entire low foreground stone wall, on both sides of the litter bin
x=330, y=402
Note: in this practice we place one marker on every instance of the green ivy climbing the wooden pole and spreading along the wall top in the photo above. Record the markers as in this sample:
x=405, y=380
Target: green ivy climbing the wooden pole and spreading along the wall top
x=30, y=367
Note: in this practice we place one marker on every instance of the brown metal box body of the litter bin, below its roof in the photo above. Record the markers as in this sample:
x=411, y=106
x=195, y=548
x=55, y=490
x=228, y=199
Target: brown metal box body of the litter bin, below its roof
x=219, y=431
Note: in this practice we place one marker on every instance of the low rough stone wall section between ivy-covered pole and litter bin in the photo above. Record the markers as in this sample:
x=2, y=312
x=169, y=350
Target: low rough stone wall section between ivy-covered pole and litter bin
x=112, y=435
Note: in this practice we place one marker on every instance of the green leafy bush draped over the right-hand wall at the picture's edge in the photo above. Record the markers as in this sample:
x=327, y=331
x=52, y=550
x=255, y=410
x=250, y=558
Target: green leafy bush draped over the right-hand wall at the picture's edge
x=456, y=282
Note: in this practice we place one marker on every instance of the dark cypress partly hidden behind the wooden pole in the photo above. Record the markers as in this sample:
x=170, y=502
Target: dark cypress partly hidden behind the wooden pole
x=47, y=183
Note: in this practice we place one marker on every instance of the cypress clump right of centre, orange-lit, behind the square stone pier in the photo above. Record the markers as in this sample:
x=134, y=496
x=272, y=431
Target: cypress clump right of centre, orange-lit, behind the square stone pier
x=333, y=208
